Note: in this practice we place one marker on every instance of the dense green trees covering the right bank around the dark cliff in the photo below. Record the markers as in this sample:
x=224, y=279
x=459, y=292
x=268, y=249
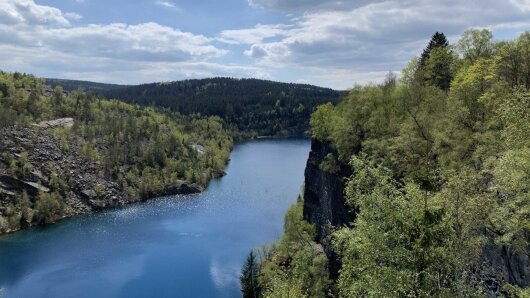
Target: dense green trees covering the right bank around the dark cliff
x=440, y=160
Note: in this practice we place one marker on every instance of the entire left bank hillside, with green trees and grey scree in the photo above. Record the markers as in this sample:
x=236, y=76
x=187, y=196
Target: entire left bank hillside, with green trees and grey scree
x=104, y=145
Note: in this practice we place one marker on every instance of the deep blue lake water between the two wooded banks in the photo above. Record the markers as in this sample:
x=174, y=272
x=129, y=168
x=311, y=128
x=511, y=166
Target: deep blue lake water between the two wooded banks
x=178, y=246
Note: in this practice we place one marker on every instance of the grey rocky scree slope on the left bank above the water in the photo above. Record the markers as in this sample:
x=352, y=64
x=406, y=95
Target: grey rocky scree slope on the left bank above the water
x=32, y=161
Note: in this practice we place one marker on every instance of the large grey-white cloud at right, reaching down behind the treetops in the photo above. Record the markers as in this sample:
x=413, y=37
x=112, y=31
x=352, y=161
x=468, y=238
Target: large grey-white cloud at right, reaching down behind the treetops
x=364, y=42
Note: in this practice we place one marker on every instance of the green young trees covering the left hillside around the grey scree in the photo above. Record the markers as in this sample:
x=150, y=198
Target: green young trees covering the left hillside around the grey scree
x=145, y=150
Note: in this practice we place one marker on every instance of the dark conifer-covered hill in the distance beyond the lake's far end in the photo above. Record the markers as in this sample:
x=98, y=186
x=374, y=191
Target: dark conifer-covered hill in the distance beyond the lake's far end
x=253, y=107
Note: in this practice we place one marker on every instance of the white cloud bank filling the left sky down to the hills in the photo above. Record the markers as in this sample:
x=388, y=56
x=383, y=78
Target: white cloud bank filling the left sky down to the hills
x=41, y=40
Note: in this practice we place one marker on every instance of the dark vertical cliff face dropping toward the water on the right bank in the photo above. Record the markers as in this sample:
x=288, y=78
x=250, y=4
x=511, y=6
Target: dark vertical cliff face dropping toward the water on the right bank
x=324, y=204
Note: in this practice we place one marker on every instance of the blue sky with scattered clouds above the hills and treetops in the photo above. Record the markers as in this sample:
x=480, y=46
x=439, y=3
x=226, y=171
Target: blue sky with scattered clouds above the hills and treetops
x=330, y=43
